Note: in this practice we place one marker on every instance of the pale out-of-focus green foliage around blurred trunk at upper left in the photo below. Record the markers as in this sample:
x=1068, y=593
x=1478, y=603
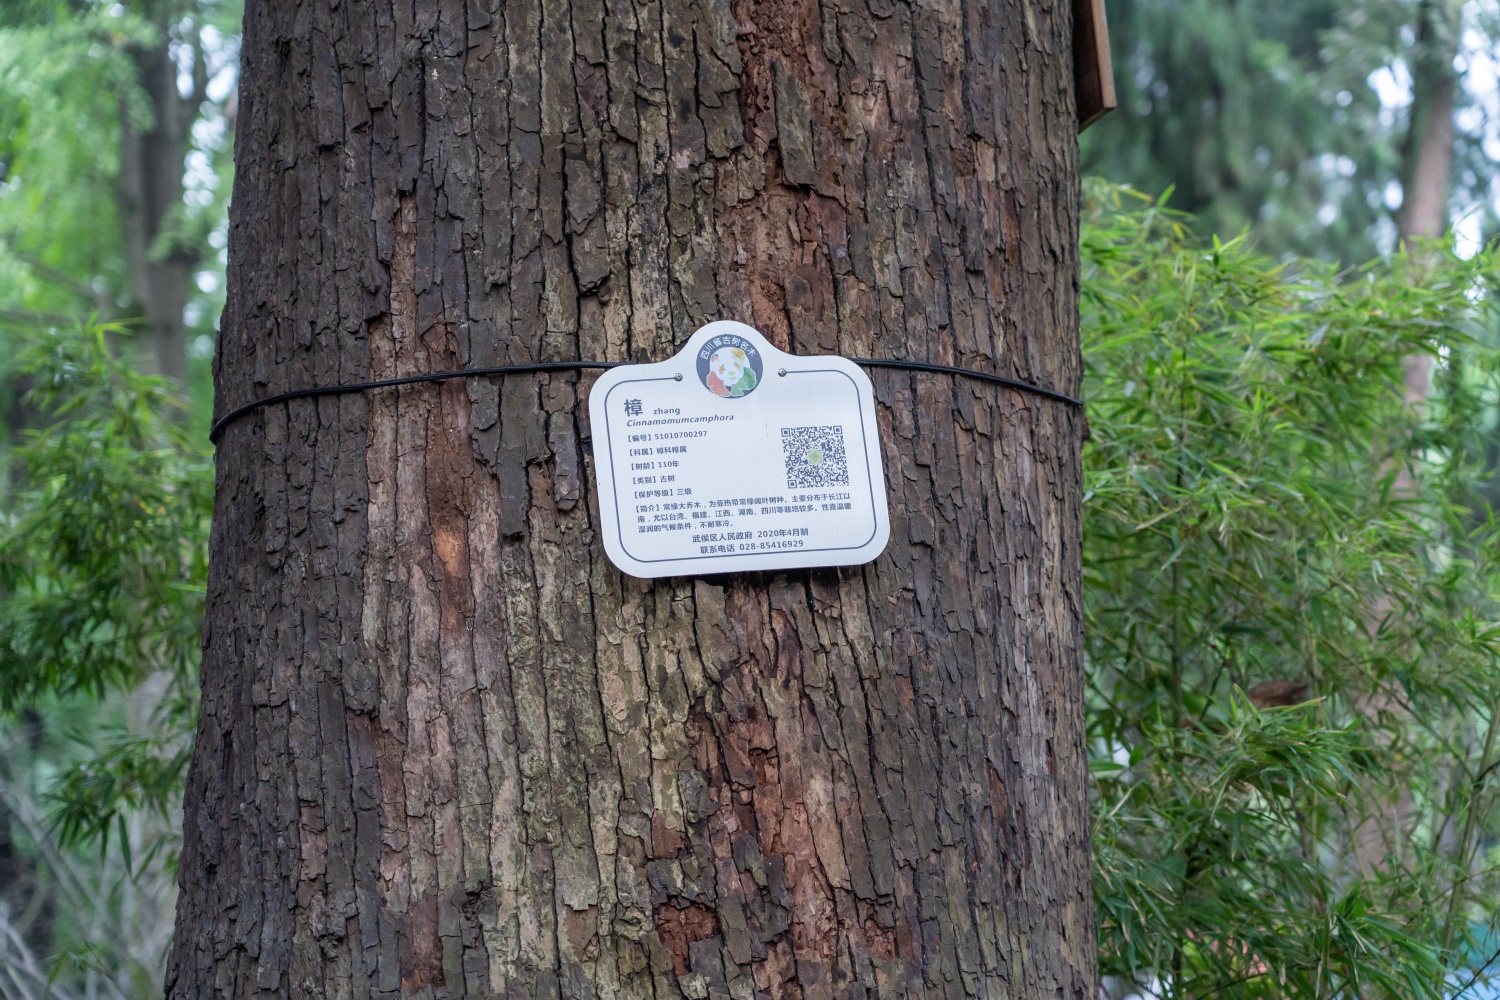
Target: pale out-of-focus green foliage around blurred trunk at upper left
x=68, y=82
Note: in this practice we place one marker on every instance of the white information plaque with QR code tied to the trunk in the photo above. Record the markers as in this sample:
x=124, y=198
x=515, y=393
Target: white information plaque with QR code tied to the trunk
x=737, y=457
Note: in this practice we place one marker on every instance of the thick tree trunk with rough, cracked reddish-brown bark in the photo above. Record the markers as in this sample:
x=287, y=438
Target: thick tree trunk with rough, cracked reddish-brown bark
x=446, y=749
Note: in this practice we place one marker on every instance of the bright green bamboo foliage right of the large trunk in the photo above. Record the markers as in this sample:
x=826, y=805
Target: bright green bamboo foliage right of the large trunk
x=1291, y=576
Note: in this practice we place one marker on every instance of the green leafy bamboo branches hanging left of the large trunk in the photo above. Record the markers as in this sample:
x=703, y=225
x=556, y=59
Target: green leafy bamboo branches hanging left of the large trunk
x=104, y=555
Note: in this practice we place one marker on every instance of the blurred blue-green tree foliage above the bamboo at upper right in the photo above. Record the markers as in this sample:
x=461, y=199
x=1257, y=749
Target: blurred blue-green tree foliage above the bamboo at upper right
x=1265, y=115
